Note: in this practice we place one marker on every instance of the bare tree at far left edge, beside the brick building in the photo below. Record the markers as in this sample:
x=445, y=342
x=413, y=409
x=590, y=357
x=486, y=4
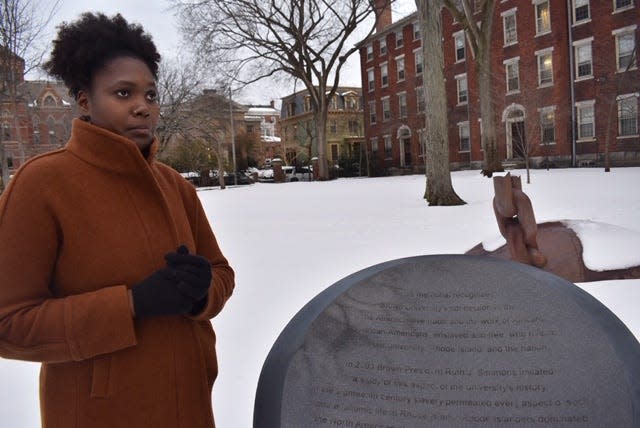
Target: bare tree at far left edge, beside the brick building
x=22, y=24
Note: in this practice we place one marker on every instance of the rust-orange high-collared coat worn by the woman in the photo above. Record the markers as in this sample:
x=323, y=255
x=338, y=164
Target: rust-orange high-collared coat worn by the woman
x=78, y=227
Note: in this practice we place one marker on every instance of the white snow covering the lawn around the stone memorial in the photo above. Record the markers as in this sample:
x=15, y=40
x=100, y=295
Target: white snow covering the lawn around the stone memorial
x=288, y=242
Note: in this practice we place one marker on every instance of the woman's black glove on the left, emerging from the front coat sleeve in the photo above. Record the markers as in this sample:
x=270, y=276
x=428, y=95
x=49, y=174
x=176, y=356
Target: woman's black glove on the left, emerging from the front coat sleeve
x=161, y=294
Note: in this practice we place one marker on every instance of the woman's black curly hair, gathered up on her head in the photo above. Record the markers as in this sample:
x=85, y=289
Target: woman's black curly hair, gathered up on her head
x=83, y=47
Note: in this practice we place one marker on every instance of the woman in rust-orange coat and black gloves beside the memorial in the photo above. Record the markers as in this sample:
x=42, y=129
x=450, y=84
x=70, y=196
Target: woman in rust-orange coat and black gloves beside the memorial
x=110, y=270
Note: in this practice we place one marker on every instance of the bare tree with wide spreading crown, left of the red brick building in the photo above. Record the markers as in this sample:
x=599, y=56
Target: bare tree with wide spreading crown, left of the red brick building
x=307, y=40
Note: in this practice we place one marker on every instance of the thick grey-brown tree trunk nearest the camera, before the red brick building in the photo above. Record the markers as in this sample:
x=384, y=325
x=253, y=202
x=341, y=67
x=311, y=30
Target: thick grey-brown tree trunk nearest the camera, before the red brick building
x=439, y=188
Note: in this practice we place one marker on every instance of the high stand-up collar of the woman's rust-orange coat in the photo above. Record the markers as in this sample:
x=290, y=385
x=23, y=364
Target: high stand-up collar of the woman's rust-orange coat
x=107, y=150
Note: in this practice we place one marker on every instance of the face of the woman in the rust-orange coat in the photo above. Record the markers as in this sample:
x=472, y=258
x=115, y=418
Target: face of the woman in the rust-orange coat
x=123, y=98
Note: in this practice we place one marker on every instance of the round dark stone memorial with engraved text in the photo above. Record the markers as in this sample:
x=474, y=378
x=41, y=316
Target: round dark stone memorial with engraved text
x=451, y=341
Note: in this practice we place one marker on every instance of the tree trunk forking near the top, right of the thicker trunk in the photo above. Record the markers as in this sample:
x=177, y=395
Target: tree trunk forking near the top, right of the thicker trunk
x=478, y=32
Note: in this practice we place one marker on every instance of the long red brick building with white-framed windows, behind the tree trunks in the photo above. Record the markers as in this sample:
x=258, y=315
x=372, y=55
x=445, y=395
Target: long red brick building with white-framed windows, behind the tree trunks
x=554, y=64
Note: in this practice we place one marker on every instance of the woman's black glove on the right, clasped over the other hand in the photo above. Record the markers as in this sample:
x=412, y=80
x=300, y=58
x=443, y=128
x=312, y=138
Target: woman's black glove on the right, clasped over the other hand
x=195, y=273
